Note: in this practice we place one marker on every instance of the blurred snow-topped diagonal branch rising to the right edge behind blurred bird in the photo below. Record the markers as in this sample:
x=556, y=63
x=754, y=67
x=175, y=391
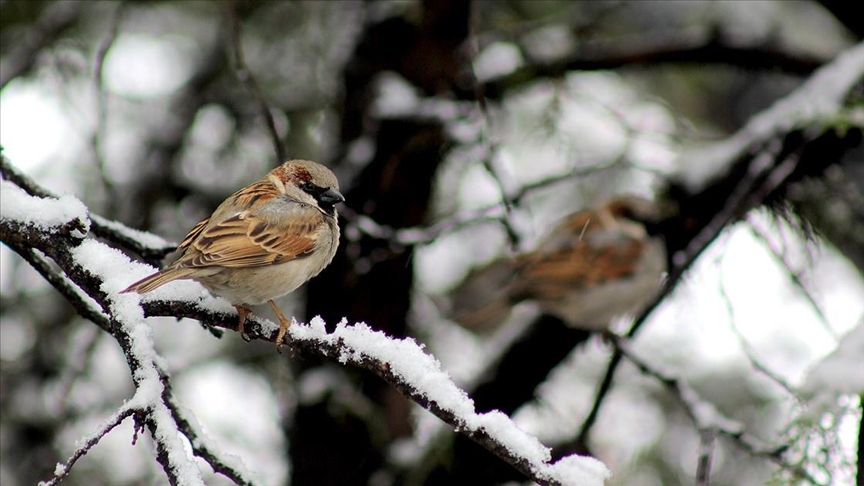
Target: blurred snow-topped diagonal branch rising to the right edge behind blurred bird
x=761, y=159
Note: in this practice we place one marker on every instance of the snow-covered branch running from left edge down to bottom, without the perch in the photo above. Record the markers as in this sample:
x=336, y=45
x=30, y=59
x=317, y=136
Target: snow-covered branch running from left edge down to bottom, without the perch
x=35, y=226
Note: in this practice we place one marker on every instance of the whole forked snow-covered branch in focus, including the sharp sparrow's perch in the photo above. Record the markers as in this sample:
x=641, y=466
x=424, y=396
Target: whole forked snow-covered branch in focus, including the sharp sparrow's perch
x=100, y=272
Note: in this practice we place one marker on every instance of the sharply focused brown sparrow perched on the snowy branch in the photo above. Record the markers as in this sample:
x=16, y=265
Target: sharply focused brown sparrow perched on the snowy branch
x=262, y=242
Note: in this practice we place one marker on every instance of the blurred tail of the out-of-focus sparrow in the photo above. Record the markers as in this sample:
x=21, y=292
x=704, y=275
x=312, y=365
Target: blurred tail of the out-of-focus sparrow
x=482, y=302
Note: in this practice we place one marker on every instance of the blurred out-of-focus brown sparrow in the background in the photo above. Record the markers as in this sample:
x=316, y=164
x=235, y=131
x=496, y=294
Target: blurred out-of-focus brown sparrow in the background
x=595, y=265
